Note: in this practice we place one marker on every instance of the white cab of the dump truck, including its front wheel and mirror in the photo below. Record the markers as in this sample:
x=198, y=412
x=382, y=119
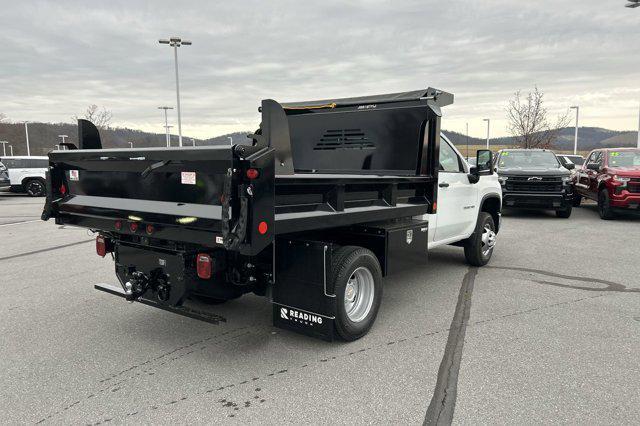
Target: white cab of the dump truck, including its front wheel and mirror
x=468, y=208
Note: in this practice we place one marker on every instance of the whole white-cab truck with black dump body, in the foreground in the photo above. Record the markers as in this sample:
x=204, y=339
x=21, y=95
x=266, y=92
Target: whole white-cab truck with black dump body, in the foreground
x=326, y=199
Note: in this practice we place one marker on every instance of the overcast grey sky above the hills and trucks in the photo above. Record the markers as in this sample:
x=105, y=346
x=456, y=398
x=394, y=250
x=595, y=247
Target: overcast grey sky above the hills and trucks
x=58, y=57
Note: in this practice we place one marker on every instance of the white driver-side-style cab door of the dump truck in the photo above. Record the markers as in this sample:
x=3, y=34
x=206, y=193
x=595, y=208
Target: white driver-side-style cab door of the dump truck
x=457, y=198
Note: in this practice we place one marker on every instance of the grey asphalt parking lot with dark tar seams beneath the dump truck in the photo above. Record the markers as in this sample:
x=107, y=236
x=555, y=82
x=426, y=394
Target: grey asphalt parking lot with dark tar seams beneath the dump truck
x=548, y=332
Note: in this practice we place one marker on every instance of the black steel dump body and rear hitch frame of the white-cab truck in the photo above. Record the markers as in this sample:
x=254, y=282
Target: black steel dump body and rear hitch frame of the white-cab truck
x=312, y=166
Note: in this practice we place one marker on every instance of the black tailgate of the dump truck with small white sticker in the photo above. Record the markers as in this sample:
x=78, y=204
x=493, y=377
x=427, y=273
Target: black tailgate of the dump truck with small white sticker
x=158, y=186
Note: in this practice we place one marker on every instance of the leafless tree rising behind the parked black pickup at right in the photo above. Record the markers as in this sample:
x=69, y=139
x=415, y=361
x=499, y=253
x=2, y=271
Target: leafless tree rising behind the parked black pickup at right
x=528, y=121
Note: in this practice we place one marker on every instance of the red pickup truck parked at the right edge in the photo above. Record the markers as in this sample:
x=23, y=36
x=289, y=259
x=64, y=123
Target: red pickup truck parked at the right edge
x=612, y=178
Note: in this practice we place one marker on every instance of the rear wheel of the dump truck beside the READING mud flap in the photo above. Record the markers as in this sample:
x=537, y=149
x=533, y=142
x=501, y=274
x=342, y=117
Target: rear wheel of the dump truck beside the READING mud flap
x=357, y=280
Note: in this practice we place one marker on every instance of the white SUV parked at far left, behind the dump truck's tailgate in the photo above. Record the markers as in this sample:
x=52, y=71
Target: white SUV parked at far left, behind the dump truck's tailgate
x=27, y=174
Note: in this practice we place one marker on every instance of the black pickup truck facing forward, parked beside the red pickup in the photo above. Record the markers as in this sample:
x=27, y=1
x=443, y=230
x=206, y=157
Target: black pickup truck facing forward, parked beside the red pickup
x=535, y=179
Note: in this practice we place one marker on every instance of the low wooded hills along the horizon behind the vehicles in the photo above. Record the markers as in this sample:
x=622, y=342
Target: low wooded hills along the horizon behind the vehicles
x=43, y=136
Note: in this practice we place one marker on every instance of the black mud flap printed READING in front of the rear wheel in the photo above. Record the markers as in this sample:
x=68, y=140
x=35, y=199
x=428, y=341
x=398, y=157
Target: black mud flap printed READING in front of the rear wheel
x=303, y=296
